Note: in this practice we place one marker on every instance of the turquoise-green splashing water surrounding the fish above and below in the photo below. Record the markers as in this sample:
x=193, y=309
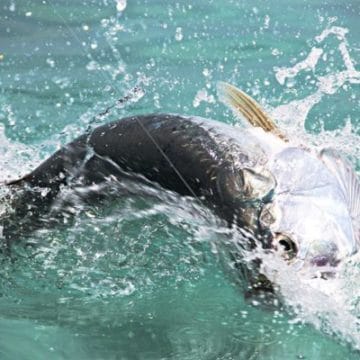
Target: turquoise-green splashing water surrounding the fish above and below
x=143, y=278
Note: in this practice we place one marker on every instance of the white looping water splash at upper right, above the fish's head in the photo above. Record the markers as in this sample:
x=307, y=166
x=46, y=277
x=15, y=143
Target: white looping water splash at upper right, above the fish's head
x=293, y=114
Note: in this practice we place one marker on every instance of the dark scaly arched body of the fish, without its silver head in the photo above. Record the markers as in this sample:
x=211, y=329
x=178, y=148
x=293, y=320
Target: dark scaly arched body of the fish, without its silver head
x=216, y=163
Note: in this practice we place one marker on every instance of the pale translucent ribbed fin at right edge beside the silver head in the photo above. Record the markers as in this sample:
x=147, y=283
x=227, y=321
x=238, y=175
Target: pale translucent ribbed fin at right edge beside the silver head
x=349, y=183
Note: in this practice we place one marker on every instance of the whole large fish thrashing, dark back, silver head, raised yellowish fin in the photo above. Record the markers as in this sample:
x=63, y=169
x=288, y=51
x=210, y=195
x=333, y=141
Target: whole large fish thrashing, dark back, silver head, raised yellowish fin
x=300, y=203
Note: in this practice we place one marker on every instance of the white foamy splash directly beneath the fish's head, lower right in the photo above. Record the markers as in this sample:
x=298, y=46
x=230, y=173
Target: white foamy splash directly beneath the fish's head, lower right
x=326, y=304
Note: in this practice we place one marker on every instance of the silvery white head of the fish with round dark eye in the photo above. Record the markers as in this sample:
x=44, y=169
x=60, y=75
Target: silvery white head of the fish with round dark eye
x=309, y=217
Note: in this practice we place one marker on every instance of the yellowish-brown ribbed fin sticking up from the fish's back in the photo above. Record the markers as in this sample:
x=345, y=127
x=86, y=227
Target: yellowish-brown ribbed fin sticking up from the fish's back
x=243, y=104
